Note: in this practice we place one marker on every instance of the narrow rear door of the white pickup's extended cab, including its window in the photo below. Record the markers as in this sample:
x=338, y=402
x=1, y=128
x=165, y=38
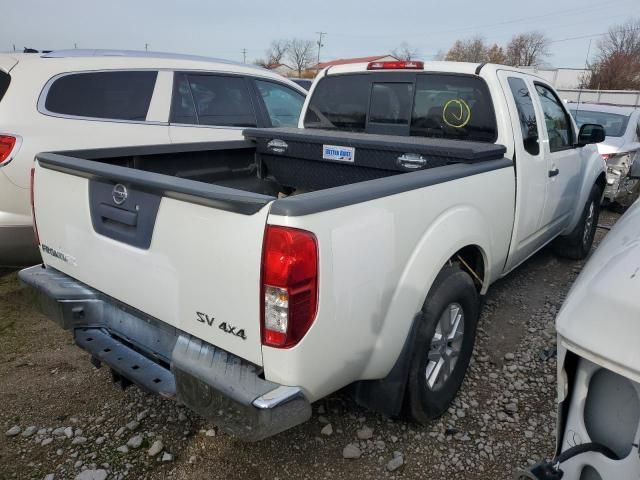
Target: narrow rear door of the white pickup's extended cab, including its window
x=531, y=168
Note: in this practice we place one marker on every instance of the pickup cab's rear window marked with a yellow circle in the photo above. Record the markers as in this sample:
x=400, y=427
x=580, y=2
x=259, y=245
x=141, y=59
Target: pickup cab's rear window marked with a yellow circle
x=429, y=105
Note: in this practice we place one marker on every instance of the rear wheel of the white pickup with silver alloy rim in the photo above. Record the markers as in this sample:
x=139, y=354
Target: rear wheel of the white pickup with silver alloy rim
x=444, y=344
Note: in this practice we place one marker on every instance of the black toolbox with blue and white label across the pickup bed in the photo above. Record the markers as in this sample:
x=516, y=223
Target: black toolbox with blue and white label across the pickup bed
x=324, y=158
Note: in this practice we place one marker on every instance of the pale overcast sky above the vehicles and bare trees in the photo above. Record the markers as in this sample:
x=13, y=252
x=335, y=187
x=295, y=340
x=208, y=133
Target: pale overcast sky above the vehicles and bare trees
x=354, y=28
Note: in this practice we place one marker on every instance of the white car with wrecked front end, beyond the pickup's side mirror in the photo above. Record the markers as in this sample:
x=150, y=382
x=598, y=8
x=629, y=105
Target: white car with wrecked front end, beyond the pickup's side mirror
x=620, y=149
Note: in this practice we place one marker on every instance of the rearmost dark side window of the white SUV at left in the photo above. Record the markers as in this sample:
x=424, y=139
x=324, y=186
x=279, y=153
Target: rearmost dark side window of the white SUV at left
x=107, y=95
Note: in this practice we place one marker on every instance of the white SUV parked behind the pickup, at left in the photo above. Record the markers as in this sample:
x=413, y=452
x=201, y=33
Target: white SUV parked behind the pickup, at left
x=95, y=98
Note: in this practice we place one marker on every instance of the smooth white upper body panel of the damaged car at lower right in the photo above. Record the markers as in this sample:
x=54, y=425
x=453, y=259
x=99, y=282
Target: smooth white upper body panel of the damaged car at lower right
x=601, y=314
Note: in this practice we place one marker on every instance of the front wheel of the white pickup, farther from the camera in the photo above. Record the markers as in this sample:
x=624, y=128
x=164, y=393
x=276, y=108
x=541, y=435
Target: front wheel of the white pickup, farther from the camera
x=577, y=244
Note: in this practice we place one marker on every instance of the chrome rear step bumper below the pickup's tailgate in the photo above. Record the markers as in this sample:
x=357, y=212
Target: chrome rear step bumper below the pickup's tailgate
x=161, y=359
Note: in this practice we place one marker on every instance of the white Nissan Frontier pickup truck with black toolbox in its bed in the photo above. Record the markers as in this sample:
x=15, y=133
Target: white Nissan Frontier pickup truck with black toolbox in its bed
x=251, y=279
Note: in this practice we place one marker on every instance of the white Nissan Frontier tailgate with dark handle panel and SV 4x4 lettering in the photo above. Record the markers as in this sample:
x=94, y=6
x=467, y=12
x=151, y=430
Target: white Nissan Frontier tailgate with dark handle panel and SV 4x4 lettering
x=184, y=252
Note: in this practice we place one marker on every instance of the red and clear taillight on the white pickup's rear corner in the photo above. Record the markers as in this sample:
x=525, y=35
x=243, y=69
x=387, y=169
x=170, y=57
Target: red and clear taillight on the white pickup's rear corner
x=289, y=285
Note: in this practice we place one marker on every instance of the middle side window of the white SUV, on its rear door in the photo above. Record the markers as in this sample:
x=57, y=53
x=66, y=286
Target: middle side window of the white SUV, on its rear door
x=221, y=100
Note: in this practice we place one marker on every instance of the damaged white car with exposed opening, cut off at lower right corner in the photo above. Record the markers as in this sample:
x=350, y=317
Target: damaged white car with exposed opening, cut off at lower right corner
x=599, y=363
